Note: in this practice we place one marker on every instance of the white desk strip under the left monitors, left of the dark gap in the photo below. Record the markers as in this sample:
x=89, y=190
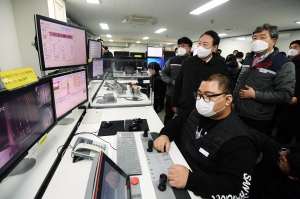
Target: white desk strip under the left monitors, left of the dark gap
x=27, y=185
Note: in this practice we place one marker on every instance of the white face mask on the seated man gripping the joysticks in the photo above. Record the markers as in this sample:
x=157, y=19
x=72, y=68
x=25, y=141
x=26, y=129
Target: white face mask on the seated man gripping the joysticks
x=206, y=108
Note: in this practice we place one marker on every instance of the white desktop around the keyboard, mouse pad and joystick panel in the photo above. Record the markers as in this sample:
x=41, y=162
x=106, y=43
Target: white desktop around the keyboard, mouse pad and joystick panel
x=70, y=179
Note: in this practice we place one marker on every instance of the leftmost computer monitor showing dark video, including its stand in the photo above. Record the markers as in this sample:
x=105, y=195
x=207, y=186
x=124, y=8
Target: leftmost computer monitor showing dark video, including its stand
x=26, y=115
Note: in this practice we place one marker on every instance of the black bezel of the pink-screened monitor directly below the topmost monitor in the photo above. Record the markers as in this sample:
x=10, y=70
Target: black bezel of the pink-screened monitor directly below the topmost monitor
x=80, y=104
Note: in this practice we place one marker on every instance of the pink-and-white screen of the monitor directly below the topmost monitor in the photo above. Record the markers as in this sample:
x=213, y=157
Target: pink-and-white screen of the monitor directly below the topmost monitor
x=70, y=91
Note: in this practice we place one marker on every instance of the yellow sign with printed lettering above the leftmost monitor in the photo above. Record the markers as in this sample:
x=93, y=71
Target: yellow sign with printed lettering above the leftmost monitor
x=15, y=78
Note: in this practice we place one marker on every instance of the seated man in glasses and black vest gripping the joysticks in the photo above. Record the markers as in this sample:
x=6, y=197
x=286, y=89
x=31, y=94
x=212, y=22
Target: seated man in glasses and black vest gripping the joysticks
x=217, y=145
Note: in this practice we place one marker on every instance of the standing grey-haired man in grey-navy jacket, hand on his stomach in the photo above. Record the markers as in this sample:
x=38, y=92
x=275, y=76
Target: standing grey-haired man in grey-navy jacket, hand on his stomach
x=267, y=78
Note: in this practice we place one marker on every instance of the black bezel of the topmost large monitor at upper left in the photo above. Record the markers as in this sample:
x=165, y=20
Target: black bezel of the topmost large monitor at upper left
x=39, y=45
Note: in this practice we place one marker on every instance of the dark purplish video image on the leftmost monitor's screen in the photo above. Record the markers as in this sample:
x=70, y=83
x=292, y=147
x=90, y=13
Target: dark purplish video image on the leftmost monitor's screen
x=24, y=116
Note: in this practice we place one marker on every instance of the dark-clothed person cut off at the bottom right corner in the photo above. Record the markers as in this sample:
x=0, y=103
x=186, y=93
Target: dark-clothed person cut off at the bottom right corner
x=277, y=175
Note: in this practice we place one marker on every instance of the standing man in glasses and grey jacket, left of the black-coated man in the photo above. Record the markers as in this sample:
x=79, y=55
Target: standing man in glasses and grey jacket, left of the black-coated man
x=170, y=71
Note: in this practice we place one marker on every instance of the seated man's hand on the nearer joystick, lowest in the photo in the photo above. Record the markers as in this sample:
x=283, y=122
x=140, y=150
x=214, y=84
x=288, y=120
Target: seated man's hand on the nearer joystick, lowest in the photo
x=178, y=176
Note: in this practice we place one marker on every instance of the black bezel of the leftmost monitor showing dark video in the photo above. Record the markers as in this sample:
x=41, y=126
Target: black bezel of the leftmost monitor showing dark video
x=12, y=163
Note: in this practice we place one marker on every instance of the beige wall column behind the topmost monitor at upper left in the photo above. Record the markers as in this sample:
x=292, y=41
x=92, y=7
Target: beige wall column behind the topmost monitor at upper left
x=24, y=20
